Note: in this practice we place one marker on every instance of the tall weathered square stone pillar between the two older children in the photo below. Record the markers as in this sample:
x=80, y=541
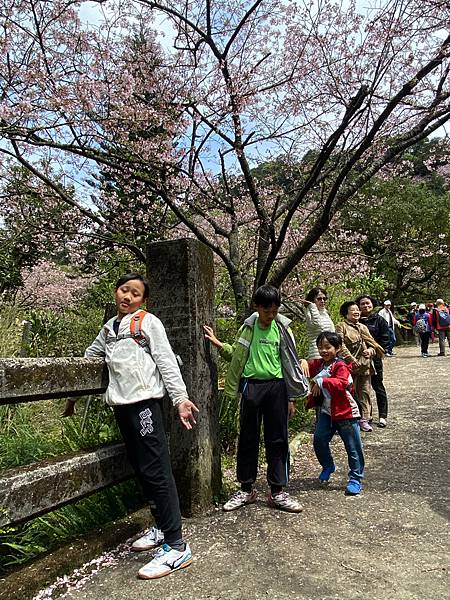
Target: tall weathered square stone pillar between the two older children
x=181, y=276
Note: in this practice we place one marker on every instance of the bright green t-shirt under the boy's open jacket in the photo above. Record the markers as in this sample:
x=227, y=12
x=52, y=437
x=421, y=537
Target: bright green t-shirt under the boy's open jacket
x=264, y=360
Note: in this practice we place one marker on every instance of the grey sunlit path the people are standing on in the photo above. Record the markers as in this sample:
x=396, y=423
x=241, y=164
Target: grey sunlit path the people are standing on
x=393, y=542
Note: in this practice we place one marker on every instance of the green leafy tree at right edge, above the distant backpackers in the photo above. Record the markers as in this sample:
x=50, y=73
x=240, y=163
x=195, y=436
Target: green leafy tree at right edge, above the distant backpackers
x=403, y=218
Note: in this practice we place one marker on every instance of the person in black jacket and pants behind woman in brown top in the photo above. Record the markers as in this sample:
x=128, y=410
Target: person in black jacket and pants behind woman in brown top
x=379, y=330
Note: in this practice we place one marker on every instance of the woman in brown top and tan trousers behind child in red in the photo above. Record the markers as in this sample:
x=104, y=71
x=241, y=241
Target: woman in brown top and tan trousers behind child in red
x=358, y=348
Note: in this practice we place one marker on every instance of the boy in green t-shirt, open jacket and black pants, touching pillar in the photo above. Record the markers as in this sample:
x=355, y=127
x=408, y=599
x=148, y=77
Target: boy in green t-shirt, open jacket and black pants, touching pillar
x=265, y=370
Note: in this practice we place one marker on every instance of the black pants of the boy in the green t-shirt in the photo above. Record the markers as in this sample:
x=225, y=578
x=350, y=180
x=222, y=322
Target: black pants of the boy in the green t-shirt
x=264, y=401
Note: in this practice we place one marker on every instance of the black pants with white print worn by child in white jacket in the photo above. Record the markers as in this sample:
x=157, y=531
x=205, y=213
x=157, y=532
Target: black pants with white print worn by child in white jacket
x=142, y=429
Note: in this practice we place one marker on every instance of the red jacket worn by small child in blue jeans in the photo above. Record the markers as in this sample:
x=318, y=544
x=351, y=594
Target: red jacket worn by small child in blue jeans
x=338, y=386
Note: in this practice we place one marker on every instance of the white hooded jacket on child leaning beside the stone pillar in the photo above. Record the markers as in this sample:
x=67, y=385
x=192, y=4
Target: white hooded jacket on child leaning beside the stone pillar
x=135, y=374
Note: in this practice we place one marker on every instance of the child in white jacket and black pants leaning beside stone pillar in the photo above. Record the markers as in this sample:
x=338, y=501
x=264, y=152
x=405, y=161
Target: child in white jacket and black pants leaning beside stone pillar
x=141, y=370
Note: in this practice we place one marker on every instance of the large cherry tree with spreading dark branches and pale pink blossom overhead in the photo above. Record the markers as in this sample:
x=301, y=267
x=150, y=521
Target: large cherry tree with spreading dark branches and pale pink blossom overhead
x=340, y=92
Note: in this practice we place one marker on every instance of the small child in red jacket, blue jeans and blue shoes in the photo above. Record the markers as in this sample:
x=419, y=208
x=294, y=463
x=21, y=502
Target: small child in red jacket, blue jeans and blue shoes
x=338, y=411
